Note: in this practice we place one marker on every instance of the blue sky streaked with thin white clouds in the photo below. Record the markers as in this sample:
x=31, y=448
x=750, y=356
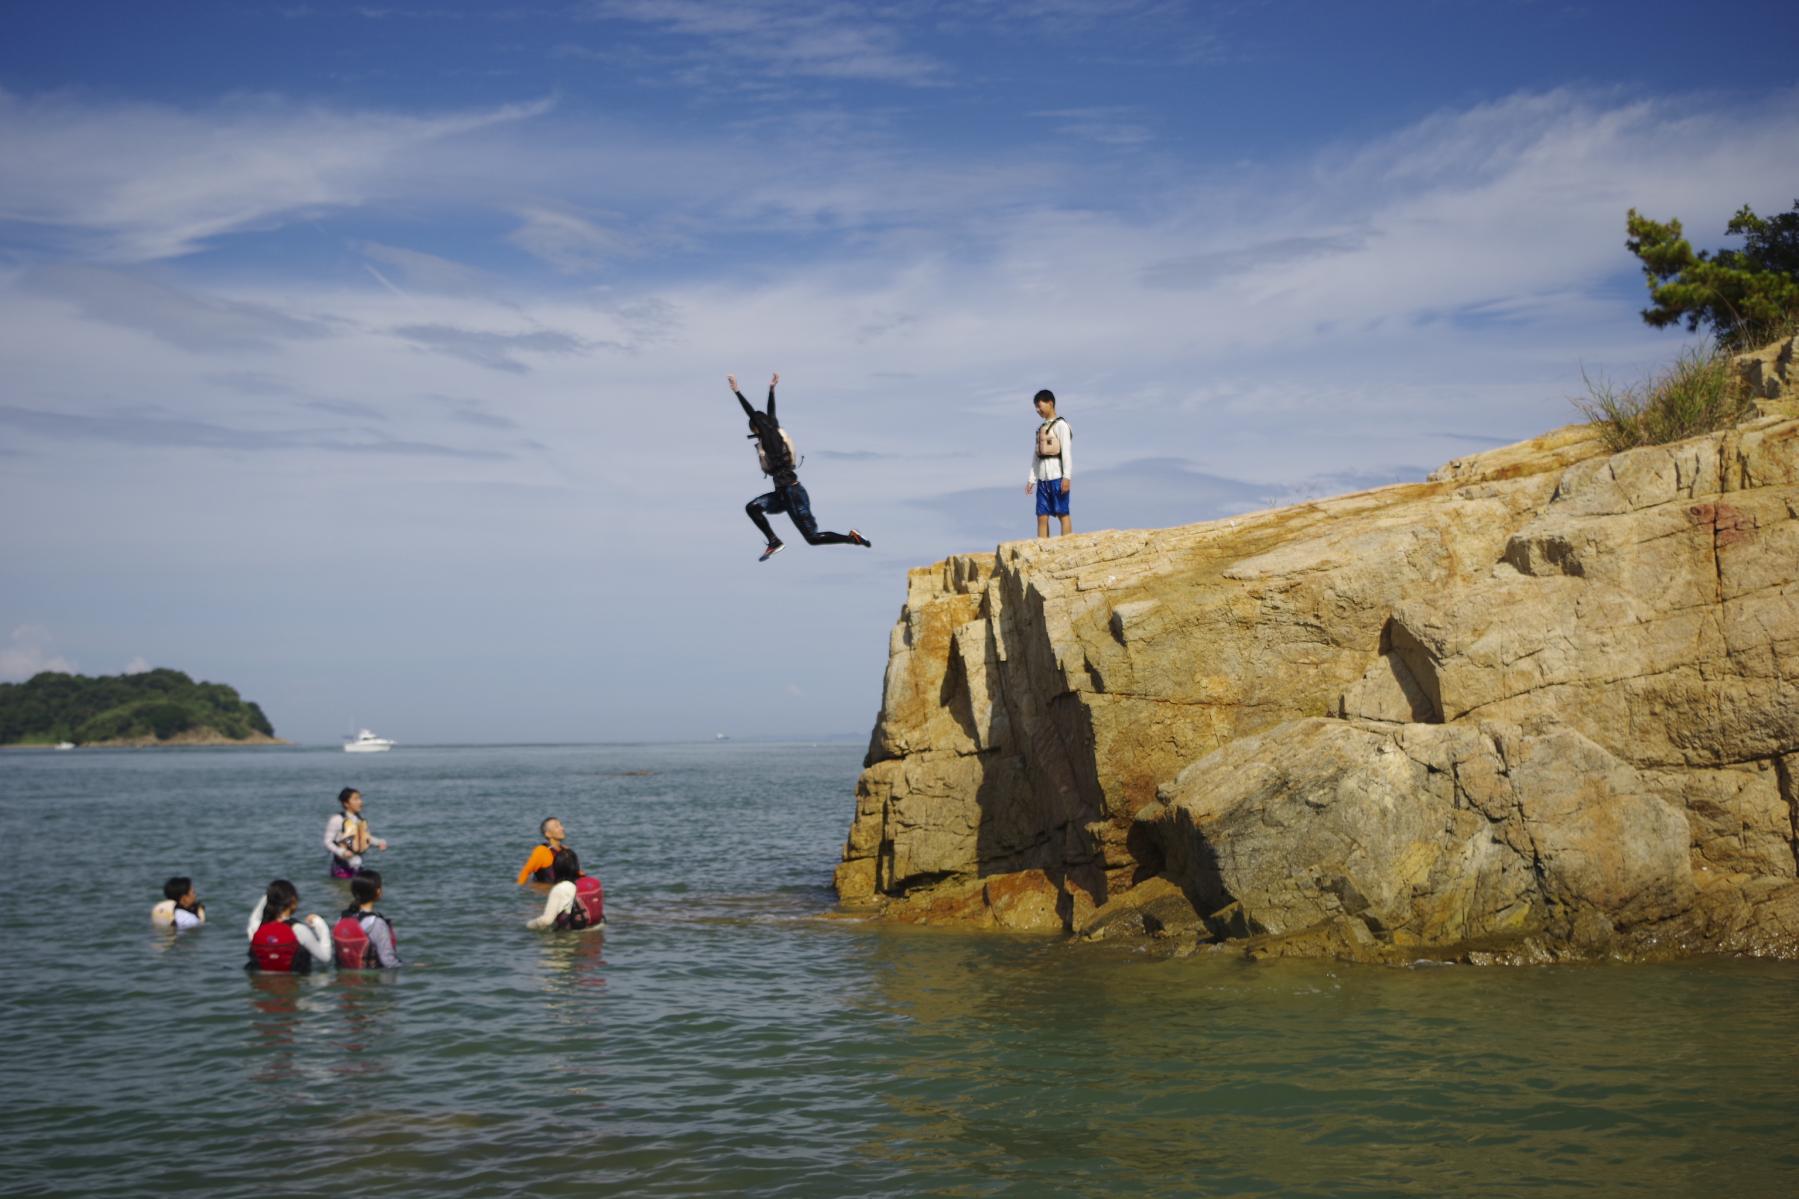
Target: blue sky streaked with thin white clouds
x=371, y=357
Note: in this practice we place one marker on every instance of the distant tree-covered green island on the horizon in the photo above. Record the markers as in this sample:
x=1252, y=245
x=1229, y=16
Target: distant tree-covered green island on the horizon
x=150, y=708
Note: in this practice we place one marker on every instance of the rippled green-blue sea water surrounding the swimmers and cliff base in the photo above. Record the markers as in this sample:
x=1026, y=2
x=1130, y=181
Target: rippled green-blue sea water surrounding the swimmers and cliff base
x=728, y=1036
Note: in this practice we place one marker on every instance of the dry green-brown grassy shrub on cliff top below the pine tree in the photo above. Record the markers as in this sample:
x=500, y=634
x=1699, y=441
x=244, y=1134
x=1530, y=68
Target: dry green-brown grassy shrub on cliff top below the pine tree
x=1699, y=393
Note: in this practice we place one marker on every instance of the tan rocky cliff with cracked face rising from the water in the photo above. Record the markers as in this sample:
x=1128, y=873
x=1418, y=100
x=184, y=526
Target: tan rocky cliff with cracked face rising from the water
x=1541, y=705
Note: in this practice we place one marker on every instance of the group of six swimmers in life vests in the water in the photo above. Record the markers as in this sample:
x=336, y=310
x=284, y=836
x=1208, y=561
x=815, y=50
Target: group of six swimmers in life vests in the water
x=282, y=942
